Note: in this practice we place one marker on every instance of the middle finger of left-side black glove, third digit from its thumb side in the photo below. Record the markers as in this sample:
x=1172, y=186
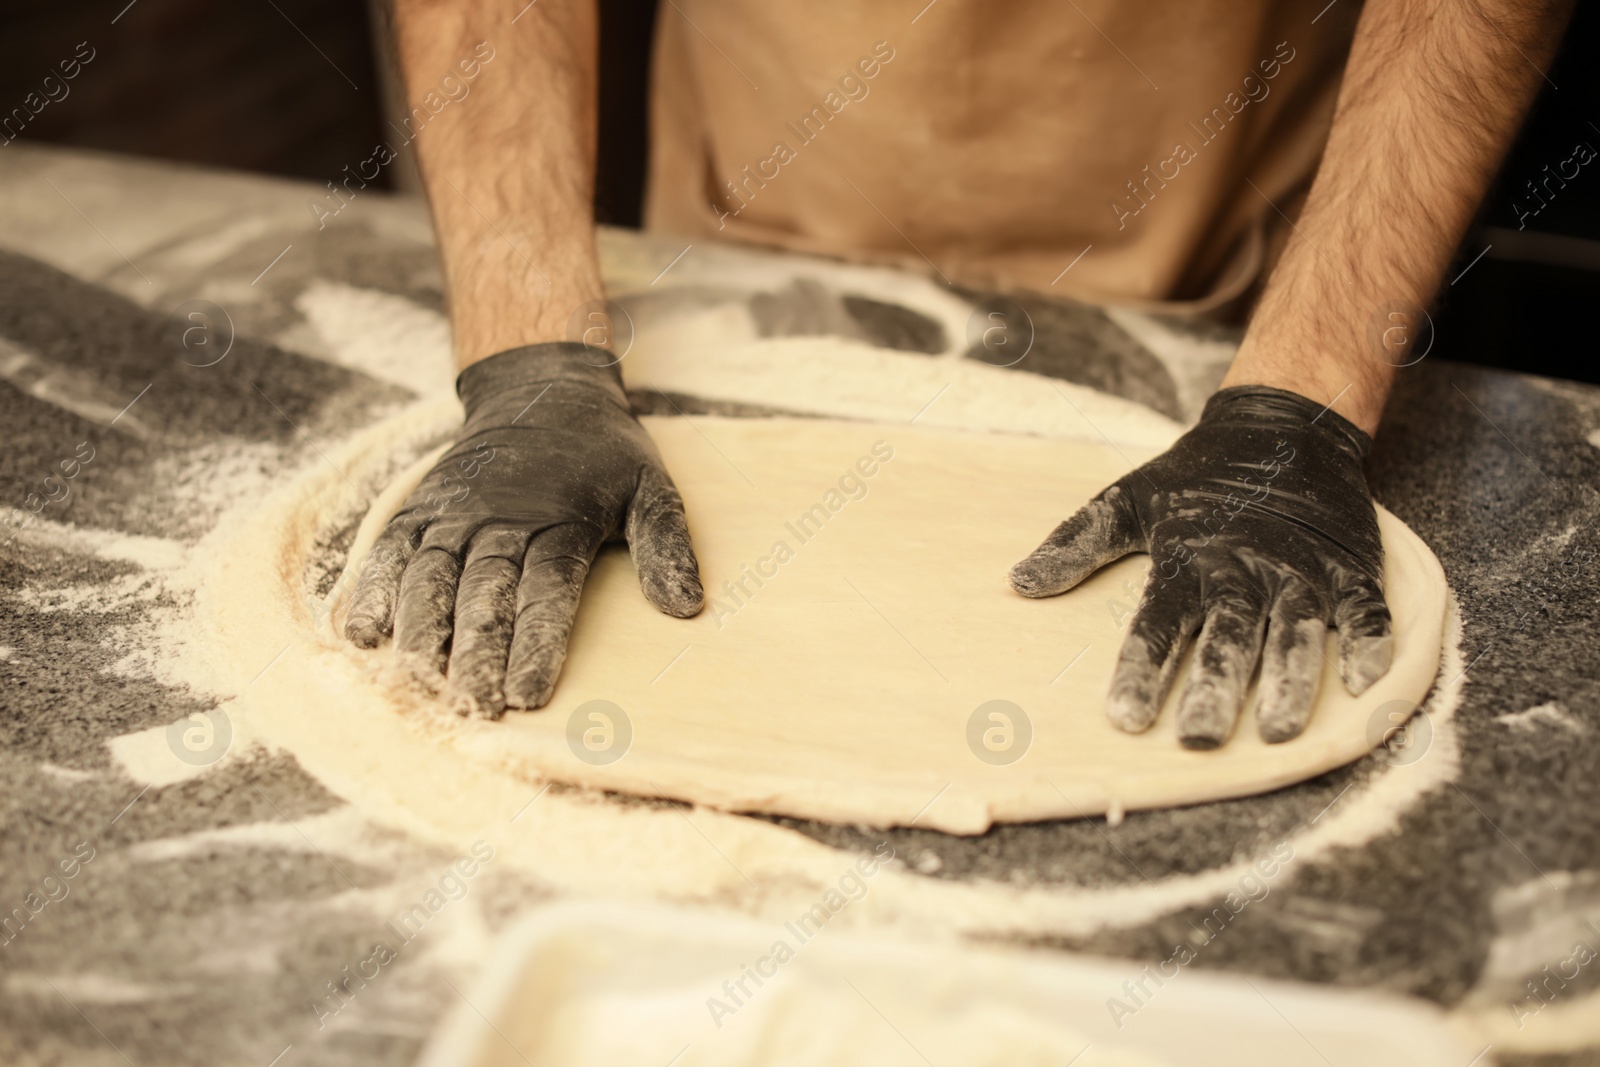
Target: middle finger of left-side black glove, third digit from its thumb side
x=486, y=617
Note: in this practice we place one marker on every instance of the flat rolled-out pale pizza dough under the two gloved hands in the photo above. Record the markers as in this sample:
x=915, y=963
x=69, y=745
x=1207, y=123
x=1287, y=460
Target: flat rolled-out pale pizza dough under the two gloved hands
x=863, y=660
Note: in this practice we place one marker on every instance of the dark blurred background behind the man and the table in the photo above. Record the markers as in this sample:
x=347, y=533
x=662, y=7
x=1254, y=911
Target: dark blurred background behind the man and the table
x=292, y=87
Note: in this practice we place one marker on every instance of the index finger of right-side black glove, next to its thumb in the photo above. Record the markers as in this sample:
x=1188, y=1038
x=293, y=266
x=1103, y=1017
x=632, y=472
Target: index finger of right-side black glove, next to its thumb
x=1161, y=629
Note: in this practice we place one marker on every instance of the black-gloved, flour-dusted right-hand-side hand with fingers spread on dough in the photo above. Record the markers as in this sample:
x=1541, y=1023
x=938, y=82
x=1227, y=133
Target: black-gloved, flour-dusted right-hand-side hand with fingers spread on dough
x=1260, y=529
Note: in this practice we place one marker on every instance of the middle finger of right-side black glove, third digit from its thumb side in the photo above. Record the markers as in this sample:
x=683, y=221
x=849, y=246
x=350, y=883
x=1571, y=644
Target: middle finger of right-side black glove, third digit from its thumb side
x=1225, y=663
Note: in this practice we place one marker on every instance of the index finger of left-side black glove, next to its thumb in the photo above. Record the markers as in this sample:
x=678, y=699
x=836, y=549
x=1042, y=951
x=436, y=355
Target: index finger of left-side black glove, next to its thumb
x=553, y=580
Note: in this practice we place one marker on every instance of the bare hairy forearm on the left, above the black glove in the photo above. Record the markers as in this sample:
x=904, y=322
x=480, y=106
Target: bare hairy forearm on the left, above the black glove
x=510, y=170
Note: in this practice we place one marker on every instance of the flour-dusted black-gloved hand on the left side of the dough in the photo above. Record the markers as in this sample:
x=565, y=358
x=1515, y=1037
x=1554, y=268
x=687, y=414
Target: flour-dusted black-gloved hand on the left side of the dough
x=482, y=567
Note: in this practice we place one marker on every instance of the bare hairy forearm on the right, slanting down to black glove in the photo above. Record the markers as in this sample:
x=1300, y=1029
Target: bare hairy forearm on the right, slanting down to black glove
x=1433, y=97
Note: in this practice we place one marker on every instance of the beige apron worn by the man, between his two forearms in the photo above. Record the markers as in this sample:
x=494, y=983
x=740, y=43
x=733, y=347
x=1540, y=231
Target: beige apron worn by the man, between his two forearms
x=1118, y=151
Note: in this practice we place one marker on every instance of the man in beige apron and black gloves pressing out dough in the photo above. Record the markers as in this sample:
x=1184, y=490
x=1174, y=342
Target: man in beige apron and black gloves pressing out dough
x=1159, y=154
